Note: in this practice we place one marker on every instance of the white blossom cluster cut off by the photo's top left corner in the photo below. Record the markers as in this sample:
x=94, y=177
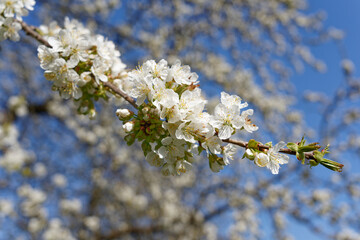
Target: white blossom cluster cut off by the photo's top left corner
x=10, y=11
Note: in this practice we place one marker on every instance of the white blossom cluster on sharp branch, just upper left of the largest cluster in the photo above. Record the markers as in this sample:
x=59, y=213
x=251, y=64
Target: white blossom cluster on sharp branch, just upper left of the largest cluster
x=78, y=63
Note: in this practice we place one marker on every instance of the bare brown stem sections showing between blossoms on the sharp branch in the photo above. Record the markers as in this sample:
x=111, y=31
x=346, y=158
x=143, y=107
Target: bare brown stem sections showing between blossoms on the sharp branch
x=31, y=32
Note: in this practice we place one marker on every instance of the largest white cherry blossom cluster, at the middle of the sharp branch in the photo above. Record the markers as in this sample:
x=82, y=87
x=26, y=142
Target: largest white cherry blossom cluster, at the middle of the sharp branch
x=171, y=121
